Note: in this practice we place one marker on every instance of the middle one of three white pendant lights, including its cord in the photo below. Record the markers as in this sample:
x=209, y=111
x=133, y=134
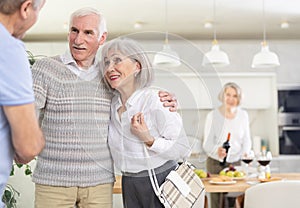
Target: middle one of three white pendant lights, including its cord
x=215, y=57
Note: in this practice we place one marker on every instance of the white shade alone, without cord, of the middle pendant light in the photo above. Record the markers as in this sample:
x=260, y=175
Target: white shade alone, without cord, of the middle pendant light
x=215, y=57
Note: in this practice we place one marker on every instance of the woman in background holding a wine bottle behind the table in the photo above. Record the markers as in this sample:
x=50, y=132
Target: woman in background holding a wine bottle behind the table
x=228, y=118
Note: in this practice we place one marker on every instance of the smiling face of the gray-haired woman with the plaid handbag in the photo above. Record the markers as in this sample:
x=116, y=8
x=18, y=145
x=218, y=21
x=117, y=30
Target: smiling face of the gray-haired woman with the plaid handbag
x=120, y=71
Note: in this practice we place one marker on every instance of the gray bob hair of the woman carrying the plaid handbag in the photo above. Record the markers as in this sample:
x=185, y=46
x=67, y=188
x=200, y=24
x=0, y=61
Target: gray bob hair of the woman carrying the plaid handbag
x=134, y=51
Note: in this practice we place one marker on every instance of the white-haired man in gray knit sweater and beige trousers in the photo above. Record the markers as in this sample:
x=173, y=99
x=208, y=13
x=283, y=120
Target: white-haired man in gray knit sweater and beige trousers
x=75, y=167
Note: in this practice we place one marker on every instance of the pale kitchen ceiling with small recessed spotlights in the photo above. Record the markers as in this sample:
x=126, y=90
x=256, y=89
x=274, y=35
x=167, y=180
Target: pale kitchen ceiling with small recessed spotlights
x=234, y=19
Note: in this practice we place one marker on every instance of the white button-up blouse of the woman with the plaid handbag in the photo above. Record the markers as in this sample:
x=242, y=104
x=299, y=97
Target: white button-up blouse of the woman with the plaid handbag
x=166, y=127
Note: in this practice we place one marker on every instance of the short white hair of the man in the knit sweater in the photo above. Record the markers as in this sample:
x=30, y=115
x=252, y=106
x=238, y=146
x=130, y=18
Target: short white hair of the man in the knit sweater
x=88, y=11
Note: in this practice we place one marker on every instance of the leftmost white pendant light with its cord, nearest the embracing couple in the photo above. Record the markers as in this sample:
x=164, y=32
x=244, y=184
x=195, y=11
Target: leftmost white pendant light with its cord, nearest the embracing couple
x=167, y=57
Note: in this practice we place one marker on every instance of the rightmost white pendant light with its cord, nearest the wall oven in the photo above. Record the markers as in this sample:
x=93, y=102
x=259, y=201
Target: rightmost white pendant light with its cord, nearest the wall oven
x=265, y=58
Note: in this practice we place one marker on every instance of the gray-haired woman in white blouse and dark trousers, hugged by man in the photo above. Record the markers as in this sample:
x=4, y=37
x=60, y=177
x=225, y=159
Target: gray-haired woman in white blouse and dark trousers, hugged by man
x=138, y=120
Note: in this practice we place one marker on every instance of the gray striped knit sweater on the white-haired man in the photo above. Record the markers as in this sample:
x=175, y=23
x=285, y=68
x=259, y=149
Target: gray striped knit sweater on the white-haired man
x=74, y=117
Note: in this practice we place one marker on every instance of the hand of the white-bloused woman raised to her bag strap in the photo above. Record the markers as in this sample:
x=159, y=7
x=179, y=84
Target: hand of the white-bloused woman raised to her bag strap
x=139, y=128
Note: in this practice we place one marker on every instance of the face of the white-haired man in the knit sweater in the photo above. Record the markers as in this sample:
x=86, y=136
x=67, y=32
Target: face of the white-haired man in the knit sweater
x=84, y=39
